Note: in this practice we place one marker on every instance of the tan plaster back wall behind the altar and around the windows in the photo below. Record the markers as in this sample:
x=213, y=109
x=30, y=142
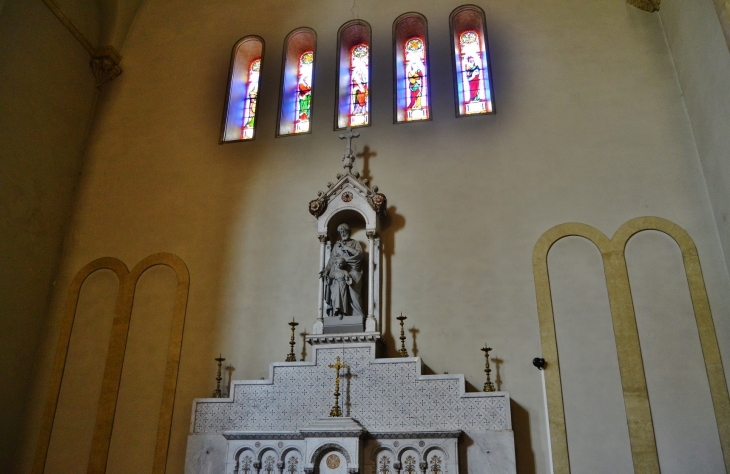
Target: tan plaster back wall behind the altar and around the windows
x=590, y=127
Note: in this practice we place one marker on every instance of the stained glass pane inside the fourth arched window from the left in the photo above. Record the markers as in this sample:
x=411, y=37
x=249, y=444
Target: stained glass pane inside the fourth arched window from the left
x=415, y=78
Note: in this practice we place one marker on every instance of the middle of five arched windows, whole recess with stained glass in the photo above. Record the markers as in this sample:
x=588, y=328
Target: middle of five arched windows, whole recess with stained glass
x=353, y=75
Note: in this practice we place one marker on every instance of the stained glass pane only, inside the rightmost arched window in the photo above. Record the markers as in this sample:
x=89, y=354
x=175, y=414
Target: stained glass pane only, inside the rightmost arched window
x=474, y=91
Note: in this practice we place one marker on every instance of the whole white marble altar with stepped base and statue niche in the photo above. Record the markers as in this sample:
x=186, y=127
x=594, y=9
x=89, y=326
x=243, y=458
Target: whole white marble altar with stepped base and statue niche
x=349, y=410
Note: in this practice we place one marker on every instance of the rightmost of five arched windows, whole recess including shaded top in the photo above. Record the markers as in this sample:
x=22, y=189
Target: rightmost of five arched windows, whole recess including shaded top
x=472, y=69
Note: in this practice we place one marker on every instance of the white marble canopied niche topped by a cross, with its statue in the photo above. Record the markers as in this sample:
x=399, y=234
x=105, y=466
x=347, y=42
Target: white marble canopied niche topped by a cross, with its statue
x=349, y=287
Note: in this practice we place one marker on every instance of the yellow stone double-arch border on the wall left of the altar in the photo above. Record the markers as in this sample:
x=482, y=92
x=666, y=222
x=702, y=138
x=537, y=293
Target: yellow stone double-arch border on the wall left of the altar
x=115, y=359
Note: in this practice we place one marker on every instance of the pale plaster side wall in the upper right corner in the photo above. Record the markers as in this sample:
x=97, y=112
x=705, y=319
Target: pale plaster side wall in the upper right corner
x=702, y=61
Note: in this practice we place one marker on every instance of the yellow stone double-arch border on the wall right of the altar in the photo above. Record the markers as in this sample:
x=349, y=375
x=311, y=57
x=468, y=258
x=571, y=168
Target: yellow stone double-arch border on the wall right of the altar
x=631, y=366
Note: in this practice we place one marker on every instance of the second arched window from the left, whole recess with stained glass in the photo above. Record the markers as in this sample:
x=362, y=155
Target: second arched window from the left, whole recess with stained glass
x=297, y=82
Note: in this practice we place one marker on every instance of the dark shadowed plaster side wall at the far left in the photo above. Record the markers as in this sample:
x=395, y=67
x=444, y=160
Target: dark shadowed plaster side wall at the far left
x=46, y=99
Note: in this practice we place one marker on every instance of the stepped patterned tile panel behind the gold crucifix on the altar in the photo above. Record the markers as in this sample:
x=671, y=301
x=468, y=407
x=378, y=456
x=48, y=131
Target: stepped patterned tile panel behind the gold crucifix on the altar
x=383, y=396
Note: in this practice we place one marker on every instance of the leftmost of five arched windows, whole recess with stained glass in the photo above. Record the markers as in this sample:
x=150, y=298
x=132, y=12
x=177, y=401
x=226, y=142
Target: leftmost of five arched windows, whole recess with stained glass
x=243, y=90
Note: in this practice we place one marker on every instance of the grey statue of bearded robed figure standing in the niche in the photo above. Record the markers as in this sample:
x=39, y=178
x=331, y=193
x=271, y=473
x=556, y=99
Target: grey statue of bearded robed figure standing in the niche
x=343, y=276
